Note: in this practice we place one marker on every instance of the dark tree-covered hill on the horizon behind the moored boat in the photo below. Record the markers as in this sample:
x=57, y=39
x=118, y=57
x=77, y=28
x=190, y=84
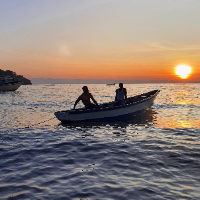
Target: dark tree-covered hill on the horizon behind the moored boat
x=16, y=77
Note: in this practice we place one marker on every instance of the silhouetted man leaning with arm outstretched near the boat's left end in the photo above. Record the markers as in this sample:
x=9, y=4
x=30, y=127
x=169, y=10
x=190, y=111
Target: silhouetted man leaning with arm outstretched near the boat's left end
x=85, y=98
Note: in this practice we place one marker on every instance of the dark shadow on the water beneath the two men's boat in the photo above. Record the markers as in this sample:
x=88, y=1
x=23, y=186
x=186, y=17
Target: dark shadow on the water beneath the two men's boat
x=145, y=119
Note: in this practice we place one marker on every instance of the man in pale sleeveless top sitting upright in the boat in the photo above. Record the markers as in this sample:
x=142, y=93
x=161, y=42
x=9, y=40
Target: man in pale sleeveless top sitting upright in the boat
x=121, y=95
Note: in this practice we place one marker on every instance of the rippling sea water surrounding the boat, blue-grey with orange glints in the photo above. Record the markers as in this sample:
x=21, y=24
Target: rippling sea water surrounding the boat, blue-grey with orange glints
x=154, y=156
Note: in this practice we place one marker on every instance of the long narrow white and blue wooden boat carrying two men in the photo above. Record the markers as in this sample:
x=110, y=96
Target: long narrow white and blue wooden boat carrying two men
x=108, y=111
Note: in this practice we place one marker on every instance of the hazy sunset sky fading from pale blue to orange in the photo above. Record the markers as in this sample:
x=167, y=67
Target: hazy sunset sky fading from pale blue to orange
x=134, y=40
